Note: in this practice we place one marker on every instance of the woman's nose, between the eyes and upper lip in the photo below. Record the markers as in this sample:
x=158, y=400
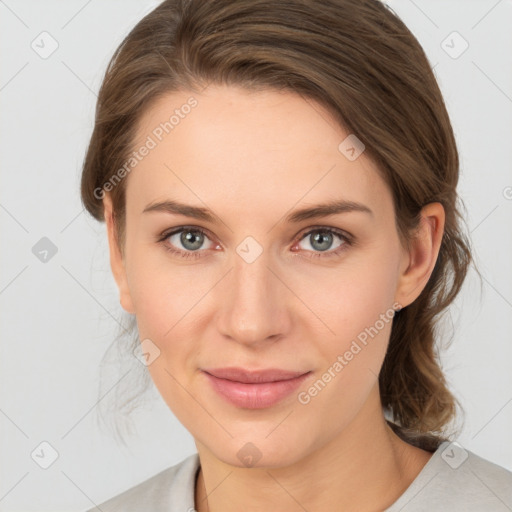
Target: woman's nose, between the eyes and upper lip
x=254, y=303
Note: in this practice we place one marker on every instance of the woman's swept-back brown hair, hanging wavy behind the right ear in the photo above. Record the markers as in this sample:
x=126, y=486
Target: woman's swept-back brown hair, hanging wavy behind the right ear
x=357, y=59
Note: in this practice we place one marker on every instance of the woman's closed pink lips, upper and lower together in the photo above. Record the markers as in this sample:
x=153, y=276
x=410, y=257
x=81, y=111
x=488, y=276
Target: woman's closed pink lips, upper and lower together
x=257, y=389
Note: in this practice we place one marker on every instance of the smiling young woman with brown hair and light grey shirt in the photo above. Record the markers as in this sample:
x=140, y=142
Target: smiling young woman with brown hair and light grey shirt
x=278, y=181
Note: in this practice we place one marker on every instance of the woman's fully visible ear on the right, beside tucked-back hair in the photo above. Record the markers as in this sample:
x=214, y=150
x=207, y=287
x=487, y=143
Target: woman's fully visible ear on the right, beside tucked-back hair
x=418, y=262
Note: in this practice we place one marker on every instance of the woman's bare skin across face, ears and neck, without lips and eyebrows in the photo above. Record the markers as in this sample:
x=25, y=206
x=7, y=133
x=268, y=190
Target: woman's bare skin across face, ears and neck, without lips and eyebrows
x=252, y=158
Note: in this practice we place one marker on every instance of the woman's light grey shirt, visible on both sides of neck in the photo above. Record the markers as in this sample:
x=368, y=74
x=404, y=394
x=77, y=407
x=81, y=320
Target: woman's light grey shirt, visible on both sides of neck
x=453, y=480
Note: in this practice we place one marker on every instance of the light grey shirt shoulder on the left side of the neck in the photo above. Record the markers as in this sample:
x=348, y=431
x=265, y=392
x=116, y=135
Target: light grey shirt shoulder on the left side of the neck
x=171, y=489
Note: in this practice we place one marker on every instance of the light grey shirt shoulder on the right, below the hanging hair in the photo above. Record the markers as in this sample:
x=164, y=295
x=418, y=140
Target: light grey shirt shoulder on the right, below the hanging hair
x=456, y=479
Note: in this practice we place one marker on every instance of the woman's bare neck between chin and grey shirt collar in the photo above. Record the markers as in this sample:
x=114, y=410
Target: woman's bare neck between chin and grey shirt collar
x=365, y=467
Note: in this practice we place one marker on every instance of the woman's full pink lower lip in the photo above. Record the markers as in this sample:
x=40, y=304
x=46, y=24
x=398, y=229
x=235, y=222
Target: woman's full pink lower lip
x=255, y=396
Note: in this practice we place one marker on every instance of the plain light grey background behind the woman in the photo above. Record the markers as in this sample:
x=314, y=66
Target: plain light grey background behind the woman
x=59, y=316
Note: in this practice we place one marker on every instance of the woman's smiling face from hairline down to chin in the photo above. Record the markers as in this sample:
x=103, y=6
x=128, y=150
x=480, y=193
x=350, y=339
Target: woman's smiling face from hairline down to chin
x=249, y=283
